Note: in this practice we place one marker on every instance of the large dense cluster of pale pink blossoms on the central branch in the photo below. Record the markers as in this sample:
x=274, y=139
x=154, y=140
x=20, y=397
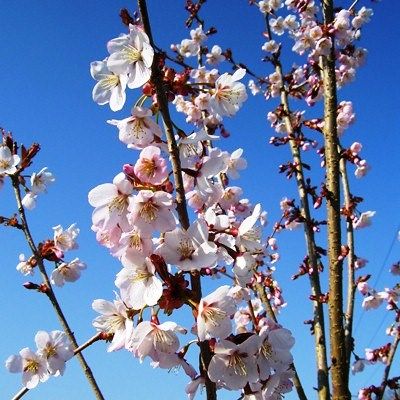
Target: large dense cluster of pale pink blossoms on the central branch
x=135, y=217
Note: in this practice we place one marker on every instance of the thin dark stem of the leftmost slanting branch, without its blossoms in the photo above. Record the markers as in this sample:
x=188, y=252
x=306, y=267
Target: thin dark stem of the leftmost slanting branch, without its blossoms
x=49, y=290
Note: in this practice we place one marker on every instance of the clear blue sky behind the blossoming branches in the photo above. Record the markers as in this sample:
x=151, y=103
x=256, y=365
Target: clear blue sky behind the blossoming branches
x=46, y=49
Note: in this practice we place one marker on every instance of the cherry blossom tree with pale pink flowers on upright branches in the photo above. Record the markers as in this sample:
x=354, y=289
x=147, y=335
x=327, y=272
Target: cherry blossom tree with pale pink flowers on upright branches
x=175, y=222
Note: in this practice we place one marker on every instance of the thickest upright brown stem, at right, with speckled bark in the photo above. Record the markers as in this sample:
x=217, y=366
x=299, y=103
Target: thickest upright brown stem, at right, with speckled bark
x=340, y=389
